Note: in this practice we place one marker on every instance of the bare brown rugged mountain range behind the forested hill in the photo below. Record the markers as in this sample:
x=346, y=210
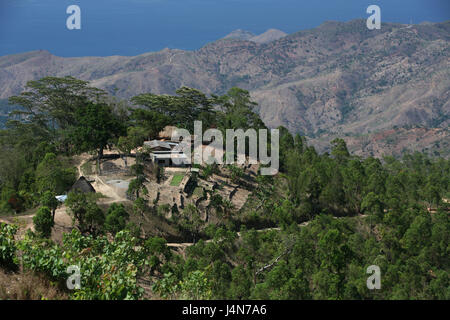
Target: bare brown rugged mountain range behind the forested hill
x=372, y=87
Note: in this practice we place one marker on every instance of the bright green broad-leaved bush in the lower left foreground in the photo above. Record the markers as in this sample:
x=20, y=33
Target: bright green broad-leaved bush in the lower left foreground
x=108, y=269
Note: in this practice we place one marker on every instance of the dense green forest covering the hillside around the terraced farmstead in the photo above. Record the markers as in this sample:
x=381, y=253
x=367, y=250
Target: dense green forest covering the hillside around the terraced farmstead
x=309, y=232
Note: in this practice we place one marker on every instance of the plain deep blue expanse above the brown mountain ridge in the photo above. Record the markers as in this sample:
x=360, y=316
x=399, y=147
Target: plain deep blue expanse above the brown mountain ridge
x=131, y=27
